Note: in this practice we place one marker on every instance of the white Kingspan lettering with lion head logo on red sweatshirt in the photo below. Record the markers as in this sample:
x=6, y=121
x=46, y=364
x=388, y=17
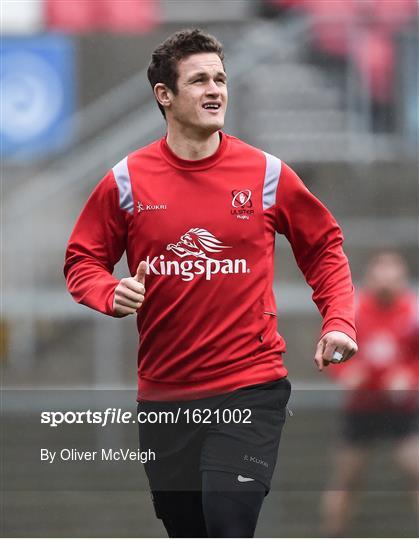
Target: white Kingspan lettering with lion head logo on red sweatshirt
x=197, y=243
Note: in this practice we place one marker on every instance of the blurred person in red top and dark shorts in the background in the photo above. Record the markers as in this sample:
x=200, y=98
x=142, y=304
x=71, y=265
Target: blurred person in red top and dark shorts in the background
x=381, y=386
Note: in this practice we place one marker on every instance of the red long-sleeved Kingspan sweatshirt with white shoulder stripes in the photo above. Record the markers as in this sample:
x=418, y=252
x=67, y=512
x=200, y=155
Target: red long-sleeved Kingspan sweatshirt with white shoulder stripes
x=206, y=229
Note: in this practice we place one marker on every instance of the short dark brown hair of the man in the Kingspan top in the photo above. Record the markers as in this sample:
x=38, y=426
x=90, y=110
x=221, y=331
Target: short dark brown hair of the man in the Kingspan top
x=180, y=45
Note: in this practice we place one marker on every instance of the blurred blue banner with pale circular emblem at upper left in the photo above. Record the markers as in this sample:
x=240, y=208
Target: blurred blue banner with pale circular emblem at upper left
x=38, y=95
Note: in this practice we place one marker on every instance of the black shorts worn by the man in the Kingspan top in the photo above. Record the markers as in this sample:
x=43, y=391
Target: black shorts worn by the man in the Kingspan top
x=237, y=432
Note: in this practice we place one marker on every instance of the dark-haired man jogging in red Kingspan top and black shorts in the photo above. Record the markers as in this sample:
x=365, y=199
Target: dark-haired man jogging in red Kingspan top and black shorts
x=197, y=213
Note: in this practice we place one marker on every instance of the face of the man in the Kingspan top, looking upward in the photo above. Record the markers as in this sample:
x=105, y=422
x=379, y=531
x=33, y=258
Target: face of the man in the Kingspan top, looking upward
x=201, y=99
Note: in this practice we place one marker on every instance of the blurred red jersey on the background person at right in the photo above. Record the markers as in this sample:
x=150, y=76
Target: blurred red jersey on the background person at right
x=385, y=373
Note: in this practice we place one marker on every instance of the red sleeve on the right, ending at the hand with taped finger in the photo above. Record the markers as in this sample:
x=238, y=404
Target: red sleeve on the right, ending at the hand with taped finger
x=316, y=240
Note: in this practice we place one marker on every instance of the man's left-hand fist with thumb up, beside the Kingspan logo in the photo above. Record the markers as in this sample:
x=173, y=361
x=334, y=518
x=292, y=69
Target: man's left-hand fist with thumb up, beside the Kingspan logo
x=129, y=293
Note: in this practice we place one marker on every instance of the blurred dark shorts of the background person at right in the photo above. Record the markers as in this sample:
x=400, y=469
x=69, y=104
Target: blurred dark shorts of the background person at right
x=364, y=427
